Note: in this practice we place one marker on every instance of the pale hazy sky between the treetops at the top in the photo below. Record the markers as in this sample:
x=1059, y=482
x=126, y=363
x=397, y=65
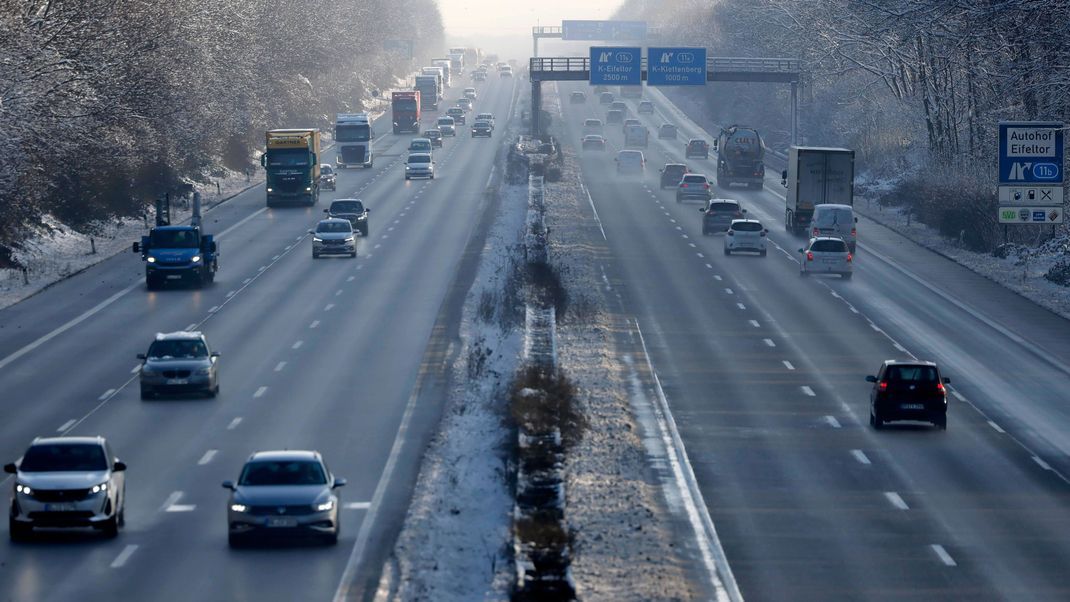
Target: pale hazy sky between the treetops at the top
x=473, y=18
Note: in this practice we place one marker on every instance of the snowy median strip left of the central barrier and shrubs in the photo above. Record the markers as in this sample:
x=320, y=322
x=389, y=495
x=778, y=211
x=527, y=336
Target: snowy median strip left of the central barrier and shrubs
x=456, y=541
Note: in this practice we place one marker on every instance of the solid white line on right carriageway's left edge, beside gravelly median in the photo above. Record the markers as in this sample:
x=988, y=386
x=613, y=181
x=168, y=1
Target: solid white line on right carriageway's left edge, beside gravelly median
x=717, y=564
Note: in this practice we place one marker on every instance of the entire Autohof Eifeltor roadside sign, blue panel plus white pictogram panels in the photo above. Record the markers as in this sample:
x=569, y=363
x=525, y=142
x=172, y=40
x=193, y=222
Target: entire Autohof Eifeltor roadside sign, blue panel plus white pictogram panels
x=1031, y=173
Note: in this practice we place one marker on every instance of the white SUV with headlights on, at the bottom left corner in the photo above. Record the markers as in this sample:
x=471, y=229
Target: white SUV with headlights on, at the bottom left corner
x=67, y=483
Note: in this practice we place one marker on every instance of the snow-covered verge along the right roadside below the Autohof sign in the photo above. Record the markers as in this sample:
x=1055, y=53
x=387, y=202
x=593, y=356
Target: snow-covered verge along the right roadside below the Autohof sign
x=1022, y=272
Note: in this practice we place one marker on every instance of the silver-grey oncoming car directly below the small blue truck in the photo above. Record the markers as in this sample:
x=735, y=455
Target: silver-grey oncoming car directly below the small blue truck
x=179, y=363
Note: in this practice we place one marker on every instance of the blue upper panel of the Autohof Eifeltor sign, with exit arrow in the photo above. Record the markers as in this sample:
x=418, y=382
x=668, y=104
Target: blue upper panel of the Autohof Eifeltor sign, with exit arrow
x=1031, y=153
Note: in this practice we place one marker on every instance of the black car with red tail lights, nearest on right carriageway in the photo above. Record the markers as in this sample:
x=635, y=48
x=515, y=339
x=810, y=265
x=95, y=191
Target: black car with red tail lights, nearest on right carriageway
x=909, y=391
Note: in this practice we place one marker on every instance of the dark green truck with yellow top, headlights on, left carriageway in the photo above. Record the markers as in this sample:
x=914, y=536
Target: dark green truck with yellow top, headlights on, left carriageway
x=292, y=161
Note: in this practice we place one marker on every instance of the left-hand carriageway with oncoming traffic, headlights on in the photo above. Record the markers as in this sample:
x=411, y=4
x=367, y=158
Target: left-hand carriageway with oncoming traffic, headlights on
x=340, y=356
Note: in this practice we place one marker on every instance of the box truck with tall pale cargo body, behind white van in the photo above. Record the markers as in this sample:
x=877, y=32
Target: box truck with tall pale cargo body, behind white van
x=816, y=176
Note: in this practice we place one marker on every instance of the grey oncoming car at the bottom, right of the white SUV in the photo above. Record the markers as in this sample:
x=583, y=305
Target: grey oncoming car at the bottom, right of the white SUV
x=284, y=493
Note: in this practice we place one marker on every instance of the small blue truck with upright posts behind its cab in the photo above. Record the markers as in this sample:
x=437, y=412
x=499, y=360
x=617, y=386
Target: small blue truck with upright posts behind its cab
x=178, y=254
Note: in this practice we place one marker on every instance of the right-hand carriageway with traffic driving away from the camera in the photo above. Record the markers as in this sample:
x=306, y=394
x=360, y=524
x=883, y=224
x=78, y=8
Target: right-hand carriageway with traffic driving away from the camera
x=765, y=375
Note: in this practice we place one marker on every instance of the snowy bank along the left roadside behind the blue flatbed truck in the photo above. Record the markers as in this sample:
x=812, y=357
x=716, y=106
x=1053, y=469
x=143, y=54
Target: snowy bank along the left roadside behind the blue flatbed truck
x=62, y=252
